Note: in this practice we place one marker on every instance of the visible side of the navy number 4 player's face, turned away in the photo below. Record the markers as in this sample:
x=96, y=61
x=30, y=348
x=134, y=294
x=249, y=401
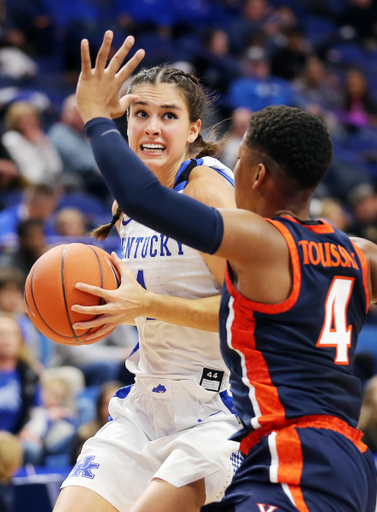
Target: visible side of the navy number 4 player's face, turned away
x=245, y=174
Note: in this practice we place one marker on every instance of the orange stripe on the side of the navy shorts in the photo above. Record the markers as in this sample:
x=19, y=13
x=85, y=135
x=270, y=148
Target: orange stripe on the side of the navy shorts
x=291, y=464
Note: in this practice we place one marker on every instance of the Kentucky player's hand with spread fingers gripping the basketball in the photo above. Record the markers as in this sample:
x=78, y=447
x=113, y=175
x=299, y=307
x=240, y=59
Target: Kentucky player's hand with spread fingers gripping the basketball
x=122, y=305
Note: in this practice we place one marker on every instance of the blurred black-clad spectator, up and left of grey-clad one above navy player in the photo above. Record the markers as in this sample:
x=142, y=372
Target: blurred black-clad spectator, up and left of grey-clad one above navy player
x=289, y=61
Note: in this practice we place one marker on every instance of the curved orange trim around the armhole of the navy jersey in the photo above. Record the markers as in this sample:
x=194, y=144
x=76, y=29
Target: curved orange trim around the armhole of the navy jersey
x=284, y=306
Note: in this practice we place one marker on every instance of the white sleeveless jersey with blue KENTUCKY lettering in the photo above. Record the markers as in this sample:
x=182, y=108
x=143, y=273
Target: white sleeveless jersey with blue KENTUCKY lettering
x=165, y=266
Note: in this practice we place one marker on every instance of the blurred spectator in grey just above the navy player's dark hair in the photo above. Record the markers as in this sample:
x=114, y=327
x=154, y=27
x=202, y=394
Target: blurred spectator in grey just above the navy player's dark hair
x=317, y=85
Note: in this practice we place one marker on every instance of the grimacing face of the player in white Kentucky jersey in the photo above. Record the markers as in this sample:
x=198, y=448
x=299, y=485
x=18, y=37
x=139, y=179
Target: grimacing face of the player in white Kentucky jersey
x=160, y=131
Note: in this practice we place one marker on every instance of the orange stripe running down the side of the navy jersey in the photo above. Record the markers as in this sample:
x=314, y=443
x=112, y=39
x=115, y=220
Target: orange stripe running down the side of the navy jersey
x=263, y=393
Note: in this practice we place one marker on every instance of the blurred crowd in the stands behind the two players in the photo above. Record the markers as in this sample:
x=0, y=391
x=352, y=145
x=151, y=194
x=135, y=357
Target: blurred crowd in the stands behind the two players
x=319, y=55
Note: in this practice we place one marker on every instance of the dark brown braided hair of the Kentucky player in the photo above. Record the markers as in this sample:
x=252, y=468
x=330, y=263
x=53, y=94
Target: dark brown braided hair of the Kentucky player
x=188, y=86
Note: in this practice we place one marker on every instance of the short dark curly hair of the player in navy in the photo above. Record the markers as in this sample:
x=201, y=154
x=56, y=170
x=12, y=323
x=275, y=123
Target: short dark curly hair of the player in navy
x=296, y=140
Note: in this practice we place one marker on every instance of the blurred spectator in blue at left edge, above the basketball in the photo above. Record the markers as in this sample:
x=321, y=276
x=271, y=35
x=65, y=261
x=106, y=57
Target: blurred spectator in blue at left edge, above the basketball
x=38, y=201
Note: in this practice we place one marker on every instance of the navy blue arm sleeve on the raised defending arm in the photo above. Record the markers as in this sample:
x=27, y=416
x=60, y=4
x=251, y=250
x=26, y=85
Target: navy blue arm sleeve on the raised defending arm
x=142, y=197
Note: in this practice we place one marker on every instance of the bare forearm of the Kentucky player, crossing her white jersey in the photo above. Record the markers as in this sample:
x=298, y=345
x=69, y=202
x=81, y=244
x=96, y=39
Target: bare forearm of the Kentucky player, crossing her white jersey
x=200, y=314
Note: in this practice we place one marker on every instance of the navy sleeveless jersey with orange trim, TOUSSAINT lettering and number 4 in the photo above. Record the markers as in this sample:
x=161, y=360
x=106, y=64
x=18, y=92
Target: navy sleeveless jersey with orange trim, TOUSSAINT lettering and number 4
x=294, y=359
